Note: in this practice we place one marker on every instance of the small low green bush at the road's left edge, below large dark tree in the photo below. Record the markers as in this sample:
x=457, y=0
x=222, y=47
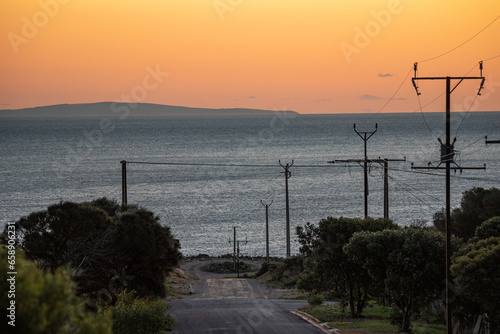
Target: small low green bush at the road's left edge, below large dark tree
x=140, y=316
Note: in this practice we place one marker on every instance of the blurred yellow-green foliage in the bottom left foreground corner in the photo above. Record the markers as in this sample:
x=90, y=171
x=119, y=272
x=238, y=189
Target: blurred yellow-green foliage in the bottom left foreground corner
x=44, y=302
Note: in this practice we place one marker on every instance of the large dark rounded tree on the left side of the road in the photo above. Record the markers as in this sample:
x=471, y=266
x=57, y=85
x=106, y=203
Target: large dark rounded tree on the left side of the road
x=110, y=247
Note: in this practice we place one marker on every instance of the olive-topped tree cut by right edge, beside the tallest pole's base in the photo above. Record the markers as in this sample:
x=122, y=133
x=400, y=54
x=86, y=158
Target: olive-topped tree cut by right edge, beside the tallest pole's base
x=477, y=279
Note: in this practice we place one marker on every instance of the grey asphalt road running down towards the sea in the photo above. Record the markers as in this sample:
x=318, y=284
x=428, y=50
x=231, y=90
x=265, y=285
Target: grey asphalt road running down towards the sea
x=223, y=306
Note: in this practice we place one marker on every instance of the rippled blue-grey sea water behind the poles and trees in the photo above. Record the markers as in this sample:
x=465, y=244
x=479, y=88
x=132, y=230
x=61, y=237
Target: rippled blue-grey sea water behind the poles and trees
x=44, y=161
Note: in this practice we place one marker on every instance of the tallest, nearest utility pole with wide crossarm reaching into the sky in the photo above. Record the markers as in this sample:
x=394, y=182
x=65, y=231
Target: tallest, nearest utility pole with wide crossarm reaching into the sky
x=448, y=158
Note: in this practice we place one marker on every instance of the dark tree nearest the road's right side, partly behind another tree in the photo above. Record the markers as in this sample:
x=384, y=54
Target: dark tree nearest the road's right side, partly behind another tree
x=327, y=267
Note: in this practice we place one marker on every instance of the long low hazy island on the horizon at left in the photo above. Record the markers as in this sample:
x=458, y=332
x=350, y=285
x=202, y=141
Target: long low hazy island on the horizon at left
x=106, y=109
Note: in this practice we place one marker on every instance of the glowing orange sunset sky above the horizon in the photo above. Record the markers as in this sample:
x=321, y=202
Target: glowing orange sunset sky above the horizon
x=318, y=56
